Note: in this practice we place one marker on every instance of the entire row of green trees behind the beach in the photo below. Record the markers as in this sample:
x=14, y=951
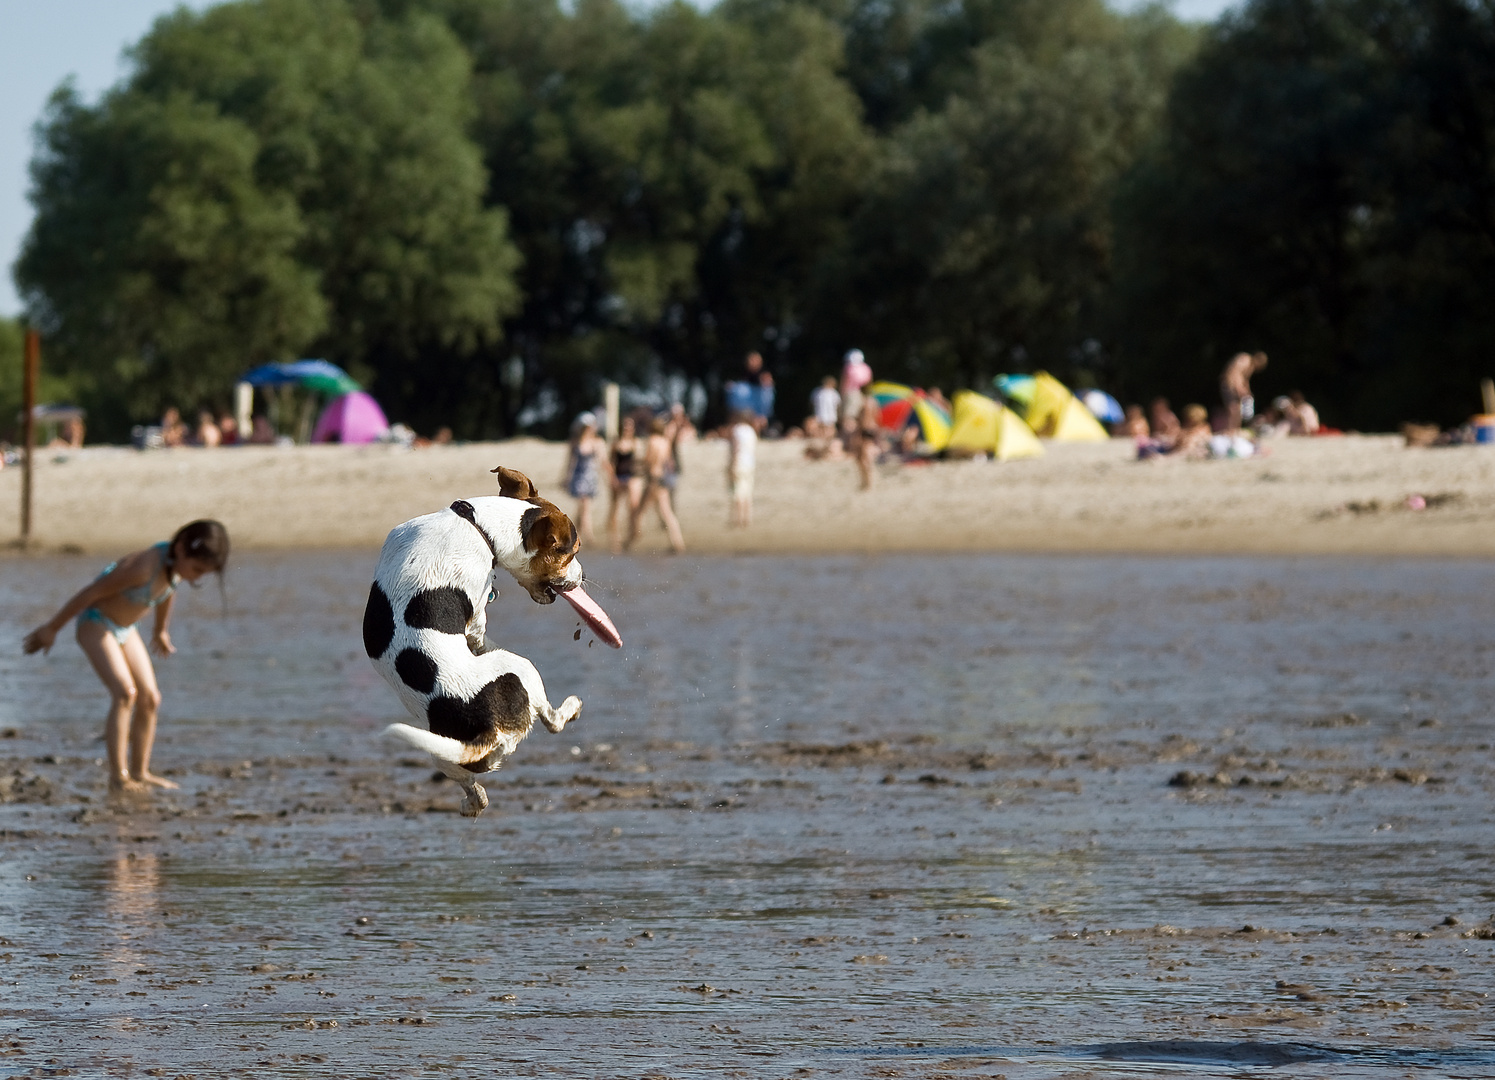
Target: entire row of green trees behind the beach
x=485, y=209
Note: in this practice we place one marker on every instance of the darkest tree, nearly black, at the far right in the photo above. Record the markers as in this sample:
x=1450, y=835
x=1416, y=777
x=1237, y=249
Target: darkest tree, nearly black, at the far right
x=1325, y=191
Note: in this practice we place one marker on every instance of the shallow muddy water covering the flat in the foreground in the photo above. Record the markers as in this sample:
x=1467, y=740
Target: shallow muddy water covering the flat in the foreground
x=820, y=817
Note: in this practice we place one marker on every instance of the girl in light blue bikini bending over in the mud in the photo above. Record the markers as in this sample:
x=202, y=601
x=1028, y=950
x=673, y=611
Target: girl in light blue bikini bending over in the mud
x=107, y=614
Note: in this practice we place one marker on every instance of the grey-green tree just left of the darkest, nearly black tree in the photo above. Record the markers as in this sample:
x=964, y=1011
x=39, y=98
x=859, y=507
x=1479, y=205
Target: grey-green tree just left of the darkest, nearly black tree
x=986, y=237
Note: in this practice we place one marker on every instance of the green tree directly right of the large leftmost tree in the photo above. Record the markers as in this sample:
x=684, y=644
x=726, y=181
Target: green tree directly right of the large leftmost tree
x=672, y=180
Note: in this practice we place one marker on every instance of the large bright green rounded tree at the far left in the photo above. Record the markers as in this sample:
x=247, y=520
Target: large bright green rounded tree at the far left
x=276, y=177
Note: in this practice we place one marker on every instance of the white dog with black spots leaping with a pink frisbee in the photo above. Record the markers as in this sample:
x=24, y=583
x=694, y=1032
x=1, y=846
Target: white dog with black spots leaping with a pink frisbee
x=427, y=629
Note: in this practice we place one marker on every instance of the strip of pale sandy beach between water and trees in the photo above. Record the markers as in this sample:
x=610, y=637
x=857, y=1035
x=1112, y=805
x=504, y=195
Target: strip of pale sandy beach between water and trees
x=1333, y=496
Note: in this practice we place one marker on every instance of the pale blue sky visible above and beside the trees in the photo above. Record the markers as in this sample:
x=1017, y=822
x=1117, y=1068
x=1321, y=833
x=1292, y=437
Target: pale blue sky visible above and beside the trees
x=49, y=41
